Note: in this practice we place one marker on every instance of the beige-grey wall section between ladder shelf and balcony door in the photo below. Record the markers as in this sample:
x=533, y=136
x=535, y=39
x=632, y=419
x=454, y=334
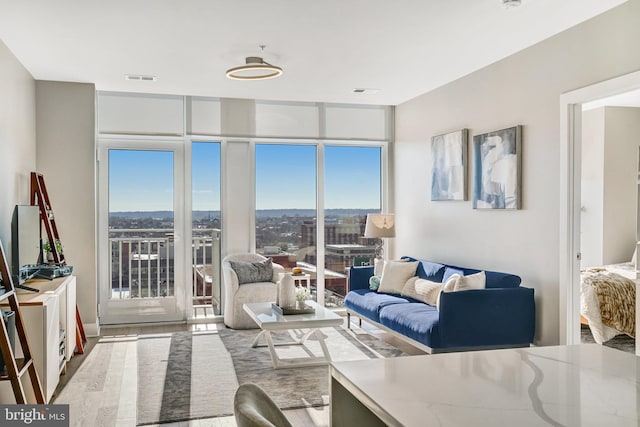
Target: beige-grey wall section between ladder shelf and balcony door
x=66, y=158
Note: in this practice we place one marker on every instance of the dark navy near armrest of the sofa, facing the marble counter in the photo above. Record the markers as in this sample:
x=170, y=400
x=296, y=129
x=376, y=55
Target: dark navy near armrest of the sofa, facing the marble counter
x=487, y=317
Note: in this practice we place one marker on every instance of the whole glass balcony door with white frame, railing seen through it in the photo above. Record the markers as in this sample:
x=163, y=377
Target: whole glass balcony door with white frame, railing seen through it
x=140, y=232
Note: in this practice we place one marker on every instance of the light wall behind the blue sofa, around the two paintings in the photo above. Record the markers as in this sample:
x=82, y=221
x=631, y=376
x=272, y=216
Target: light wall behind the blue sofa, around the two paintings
x=522, y=89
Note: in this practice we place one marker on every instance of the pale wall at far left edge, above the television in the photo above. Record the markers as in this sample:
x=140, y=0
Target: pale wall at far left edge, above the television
x=17, y=139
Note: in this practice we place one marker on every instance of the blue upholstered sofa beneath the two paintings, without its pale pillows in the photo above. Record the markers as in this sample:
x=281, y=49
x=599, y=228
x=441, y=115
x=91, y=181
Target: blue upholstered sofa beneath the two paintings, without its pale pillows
x=499, y=316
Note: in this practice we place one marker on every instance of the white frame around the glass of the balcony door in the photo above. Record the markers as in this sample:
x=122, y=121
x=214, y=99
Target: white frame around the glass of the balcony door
x=177, y=307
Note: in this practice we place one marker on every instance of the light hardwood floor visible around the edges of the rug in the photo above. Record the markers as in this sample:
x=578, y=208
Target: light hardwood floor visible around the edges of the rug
x=110, y=403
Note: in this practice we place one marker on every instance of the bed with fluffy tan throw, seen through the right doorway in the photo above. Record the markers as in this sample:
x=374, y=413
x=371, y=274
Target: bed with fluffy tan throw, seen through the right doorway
x=608, y=300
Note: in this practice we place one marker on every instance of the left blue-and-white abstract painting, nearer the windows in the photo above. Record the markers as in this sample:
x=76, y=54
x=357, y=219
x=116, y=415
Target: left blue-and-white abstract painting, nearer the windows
x=449, y=165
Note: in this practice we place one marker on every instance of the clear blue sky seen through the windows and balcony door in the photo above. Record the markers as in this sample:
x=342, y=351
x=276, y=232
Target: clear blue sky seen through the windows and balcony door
x=285, y=177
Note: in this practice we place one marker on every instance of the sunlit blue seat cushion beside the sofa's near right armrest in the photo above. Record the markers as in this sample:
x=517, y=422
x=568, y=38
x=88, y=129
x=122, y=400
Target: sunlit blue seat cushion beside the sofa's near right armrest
x=415, y=320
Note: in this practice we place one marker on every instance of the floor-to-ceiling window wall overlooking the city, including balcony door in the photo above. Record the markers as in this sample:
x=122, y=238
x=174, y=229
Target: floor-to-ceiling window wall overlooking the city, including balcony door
x=311, y=193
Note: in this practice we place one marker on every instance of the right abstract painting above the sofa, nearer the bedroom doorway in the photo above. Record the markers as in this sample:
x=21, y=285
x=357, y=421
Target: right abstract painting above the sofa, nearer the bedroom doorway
x=497, y=169
